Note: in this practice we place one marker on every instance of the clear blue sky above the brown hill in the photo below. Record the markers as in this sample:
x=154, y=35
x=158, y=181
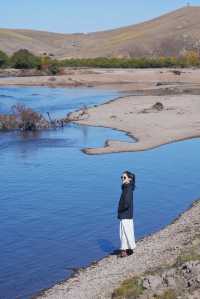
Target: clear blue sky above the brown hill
x=81, y=15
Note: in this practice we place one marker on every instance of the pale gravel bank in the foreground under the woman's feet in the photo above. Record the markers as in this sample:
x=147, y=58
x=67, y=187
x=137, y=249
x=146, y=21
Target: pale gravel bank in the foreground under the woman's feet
x=159, y=250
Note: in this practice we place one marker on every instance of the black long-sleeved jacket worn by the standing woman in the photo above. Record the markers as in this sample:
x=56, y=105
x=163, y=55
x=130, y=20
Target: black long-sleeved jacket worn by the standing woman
x=125, y=207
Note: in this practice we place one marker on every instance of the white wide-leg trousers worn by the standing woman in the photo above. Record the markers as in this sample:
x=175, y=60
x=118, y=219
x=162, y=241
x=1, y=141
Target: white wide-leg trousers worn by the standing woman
x=126, y=232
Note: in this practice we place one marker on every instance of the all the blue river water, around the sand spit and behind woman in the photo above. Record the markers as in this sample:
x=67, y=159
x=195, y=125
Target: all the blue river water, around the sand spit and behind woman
x=59, y=206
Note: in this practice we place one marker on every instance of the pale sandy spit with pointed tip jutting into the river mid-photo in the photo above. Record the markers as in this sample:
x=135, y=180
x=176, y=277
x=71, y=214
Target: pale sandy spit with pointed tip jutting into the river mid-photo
x=134, y=115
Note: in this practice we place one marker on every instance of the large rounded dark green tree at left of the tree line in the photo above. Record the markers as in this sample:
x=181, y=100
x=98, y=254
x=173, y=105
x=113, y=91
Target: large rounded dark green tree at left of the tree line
x=23, y=59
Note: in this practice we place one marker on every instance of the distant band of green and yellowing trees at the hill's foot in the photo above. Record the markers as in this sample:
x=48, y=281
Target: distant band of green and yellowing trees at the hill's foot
x=23, y=59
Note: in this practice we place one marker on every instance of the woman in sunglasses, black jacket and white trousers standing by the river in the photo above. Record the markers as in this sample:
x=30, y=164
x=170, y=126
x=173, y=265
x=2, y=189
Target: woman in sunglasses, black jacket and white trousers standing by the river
x=125, y=214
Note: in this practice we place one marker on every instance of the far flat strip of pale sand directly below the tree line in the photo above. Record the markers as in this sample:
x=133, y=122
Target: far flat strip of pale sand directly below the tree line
x=122, y=79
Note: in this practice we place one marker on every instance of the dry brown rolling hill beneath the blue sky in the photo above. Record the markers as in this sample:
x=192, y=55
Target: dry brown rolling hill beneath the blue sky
x=169, y=34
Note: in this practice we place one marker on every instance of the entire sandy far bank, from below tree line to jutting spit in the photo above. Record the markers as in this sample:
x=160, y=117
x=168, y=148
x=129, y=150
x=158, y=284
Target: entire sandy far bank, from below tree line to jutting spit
x=177, y=90
